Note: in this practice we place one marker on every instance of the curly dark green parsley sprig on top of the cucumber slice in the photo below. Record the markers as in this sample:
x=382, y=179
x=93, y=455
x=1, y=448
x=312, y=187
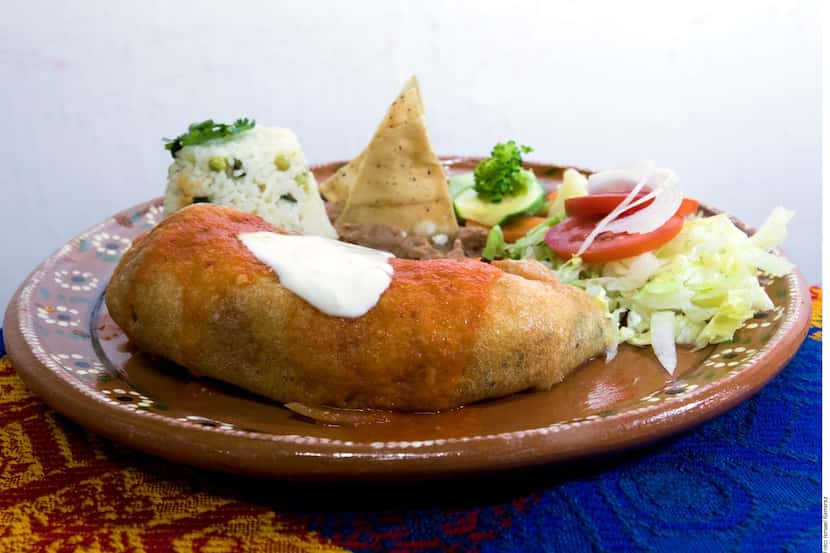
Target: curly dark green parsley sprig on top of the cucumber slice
x=501, y=174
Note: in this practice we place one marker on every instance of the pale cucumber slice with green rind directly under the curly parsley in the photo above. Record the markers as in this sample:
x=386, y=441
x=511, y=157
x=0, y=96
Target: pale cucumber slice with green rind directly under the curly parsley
x=469, y=206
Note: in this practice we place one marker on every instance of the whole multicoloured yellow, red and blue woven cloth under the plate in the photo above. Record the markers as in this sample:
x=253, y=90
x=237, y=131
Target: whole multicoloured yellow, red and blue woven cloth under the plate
x=746, y=481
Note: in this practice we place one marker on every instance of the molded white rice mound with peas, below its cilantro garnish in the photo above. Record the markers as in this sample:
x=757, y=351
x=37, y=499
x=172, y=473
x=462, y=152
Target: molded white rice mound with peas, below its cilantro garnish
x=261, y=171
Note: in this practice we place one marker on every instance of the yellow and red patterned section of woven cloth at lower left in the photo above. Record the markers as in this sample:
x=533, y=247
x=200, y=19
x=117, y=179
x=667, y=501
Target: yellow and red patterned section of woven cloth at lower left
x=65, y=489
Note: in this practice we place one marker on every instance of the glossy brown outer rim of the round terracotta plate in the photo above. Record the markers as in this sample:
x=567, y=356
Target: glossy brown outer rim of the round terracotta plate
x=294, y=455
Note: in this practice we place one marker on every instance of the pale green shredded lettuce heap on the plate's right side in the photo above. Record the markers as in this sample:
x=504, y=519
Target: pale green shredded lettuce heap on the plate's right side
x=698, y=289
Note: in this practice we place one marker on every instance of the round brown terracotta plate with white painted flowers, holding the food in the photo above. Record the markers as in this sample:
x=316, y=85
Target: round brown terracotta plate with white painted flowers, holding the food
x=68, y=350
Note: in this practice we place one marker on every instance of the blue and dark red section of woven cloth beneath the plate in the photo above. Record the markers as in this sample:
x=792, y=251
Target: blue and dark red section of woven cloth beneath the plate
x=746, y=481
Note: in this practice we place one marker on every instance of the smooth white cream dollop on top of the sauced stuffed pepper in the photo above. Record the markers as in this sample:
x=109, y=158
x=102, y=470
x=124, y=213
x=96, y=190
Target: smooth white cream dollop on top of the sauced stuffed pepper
x=339, y=279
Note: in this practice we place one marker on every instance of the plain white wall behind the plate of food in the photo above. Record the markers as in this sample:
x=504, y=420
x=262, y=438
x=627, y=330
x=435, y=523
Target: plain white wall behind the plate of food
x=726, y=93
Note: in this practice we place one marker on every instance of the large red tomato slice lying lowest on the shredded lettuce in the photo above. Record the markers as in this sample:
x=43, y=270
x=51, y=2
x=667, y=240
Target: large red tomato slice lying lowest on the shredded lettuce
x=566, y=238
